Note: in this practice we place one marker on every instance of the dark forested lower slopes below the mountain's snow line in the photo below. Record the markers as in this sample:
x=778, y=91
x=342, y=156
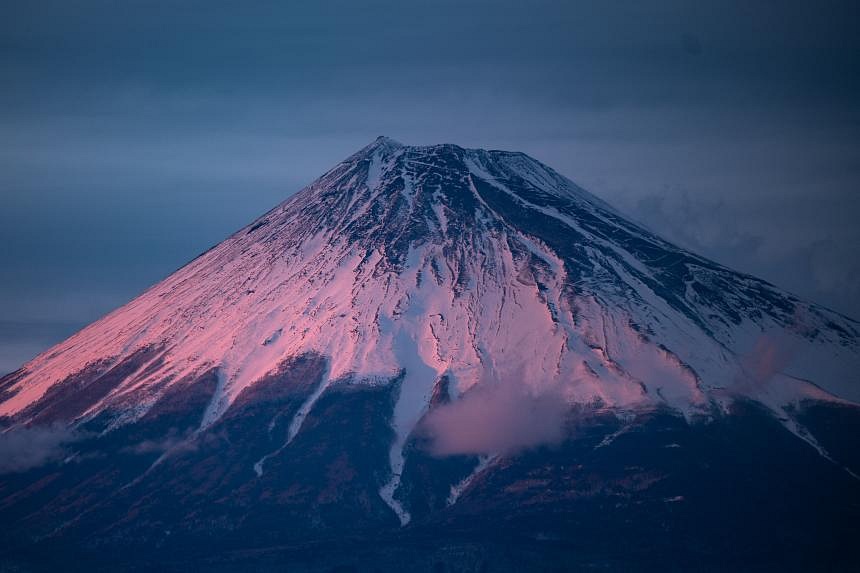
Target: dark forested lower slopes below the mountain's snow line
x=653, y=494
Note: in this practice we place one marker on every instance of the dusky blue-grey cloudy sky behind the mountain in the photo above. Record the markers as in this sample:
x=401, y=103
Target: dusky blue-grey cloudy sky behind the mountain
x=134, y=135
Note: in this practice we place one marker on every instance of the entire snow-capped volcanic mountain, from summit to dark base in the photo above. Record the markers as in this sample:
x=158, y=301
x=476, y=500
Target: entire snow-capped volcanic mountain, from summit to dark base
x=449, y=358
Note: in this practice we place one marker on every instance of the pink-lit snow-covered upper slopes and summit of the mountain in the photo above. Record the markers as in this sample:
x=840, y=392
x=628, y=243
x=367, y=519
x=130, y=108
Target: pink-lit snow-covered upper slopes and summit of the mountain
x=409, y=263
